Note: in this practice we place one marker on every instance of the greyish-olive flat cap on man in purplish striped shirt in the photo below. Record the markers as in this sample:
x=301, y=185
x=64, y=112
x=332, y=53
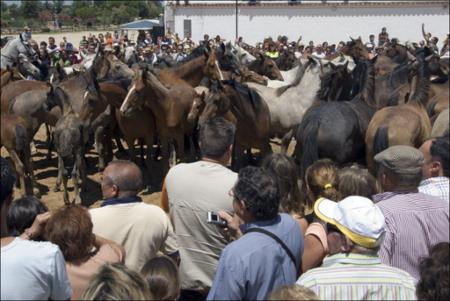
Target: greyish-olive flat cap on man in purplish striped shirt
x=401, y=159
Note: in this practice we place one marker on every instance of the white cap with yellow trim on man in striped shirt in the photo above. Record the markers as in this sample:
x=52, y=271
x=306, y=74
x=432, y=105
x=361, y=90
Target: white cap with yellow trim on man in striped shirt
x=356, y=217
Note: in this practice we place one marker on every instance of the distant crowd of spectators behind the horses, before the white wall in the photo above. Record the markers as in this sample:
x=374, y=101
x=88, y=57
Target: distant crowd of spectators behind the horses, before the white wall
x=150, y=50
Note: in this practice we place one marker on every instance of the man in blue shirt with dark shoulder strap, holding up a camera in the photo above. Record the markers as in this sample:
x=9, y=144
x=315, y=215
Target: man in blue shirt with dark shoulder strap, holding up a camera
x=269, y=250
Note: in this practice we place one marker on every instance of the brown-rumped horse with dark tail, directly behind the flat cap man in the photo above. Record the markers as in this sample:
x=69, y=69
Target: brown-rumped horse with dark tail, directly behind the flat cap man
x=405, y=124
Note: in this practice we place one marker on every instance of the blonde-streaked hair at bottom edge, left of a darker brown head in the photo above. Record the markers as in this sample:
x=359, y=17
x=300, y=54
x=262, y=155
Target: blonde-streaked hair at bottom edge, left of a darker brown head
x=117, y=282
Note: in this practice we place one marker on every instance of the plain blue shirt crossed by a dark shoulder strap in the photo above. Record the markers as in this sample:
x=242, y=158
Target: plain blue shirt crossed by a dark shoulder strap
x=255, y=264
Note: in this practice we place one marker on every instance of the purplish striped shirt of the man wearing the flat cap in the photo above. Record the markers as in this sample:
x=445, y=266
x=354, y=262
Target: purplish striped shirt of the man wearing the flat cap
x=415, y=222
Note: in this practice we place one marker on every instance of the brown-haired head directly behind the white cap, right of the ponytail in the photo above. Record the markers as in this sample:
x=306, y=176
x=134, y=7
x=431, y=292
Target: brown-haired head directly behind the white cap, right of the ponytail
x=355, y=180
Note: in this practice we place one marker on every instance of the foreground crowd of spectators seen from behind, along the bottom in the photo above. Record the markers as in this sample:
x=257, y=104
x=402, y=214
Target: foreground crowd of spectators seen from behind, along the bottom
x=348, y=236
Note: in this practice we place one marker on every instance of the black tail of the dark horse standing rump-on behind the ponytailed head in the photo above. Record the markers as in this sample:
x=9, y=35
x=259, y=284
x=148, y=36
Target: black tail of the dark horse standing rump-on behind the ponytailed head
x=310, y=148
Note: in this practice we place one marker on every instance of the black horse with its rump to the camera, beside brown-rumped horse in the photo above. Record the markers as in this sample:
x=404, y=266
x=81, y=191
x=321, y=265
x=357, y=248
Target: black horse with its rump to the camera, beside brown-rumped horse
x=336, y=130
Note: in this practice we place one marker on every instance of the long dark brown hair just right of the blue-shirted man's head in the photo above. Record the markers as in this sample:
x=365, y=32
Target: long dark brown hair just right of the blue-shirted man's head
x=283, y=168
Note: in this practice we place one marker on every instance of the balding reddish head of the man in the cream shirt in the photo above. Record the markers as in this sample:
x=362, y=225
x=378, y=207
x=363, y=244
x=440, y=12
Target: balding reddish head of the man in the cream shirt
x=125, y=175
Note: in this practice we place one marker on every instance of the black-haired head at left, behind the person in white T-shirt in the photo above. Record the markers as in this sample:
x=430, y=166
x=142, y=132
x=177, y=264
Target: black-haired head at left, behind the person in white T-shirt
x=22, y=213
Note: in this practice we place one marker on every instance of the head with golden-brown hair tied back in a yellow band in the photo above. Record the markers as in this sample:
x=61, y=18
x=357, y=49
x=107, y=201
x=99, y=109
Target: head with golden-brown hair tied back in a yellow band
x=322, y=180
